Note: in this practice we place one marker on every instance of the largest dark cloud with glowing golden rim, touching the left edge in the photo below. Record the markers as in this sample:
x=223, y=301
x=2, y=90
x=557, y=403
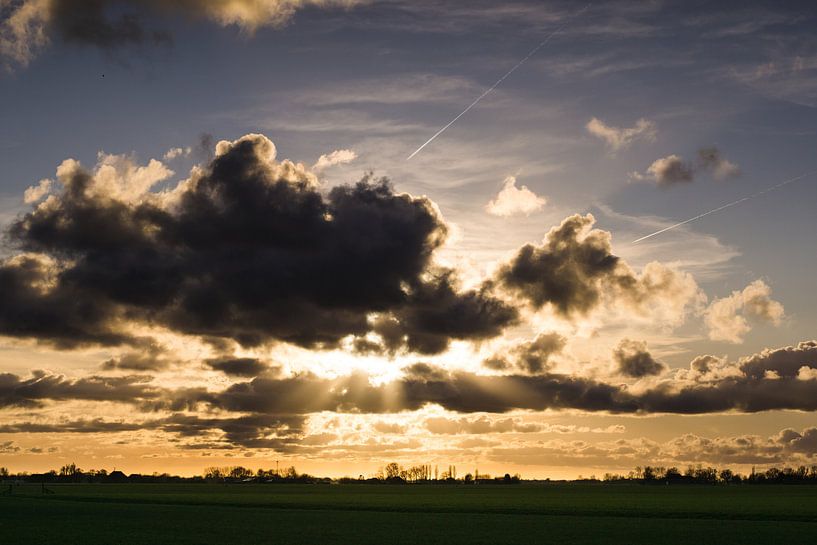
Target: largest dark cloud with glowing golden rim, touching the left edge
x=248, y=249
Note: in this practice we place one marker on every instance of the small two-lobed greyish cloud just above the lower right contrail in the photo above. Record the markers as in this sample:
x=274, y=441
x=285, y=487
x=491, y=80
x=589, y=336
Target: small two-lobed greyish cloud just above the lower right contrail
x=672, y=169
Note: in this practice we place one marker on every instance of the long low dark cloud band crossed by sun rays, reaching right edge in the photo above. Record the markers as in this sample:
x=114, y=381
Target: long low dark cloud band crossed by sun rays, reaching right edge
x=738, y=388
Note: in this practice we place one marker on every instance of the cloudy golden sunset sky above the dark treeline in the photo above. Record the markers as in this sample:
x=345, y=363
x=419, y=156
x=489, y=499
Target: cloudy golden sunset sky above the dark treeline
x=216, y=250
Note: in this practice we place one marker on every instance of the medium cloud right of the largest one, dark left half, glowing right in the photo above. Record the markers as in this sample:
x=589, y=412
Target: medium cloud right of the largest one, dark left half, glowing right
x=574, y=269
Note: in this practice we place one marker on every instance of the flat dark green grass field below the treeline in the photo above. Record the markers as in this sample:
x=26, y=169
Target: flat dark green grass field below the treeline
x=323, y=514
